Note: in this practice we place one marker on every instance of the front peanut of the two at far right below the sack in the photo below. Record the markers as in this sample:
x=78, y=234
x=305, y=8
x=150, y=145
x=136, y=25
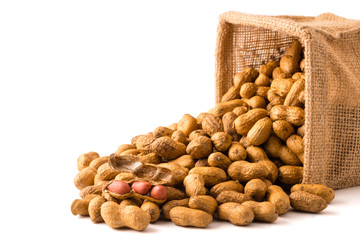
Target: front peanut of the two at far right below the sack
x=307, y=202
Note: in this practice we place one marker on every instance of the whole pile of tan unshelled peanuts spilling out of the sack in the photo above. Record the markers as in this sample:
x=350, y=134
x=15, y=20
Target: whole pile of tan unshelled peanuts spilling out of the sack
x=240, y=162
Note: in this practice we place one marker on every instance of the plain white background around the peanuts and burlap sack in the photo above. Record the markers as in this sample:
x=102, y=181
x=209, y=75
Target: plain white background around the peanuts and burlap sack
x=79, y=76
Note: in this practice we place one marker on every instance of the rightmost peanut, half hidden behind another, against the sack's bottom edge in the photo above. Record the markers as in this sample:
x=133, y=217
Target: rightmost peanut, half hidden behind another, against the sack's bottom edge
x=321, y=190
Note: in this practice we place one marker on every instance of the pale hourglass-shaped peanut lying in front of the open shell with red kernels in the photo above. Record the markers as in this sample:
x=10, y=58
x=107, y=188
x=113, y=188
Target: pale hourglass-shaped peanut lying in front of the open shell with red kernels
x=128, y=216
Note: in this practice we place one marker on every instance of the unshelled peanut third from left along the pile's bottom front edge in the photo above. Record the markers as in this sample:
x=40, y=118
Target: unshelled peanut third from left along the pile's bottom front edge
x=235, y=213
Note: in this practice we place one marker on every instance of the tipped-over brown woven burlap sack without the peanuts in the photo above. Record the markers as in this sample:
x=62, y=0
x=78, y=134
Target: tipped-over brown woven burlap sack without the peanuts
x=332, y=108
